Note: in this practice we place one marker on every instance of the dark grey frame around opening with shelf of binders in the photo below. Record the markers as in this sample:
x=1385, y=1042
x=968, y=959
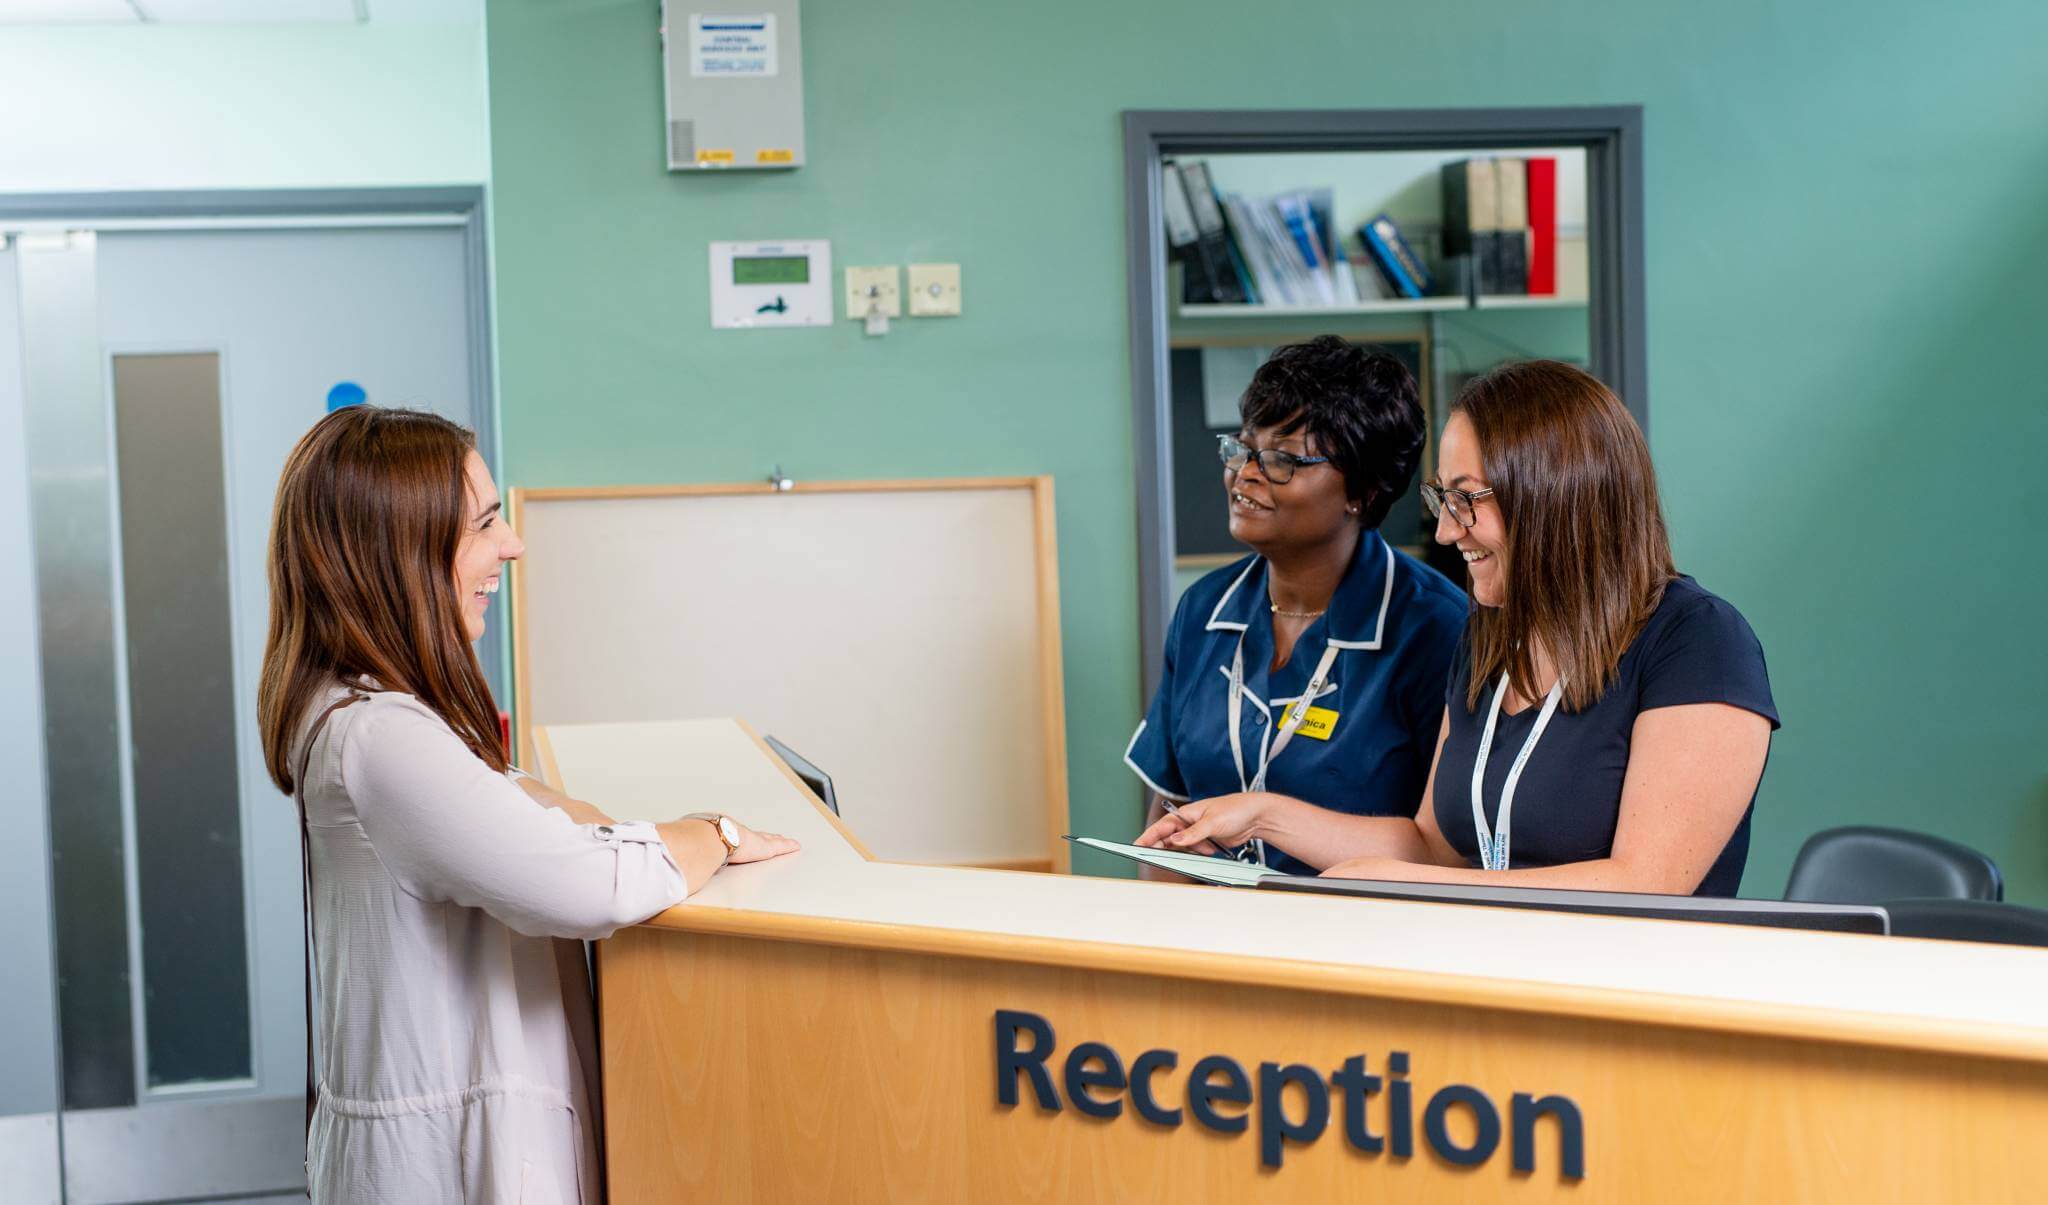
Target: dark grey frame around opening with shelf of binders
x=1611, y=134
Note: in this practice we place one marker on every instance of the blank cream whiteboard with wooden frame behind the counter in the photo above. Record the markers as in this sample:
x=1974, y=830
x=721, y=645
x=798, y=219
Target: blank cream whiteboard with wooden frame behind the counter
x=902, y=636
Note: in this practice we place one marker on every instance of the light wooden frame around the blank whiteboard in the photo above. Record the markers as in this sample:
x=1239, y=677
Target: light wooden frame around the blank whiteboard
x=1046, y=554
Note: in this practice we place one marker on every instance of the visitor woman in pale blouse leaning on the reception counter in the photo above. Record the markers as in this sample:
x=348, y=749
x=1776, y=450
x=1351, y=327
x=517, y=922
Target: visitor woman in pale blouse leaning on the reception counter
x=450, y=892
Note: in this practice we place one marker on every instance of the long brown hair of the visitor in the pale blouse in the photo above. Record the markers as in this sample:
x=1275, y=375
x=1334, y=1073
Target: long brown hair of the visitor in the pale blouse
x=370, y=515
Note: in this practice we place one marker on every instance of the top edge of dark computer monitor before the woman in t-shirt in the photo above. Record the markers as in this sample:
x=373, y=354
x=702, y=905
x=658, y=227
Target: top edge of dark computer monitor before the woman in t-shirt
x=1768, y=913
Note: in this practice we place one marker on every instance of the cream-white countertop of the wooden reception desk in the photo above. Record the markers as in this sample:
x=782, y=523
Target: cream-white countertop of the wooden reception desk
x=1955, y=995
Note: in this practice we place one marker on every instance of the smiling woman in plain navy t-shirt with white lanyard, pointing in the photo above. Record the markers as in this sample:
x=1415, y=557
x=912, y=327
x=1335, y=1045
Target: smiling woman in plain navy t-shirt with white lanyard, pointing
x=1607, y=720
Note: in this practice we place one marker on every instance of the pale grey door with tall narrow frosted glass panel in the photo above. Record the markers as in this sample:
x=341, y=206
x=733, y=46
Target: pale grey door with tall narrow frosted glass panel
x=169, y=376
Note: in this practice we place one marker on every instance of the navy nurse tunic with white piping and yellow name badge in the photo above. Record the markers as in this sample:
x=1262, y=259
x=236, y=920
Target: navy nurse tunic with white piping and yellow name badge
x=1396, y=624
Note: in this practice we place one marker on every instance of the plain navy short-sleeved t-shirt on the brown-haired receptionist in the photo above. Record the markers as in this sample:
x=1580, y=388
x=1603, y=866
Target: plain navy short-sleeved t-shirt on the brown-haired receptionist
x=1697, y=649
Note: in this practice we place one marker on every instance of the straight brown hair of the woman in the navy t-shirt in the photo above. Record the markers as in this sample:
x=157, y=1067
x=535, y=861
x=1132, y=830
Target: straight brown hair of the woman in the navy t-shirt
x=1588, y=554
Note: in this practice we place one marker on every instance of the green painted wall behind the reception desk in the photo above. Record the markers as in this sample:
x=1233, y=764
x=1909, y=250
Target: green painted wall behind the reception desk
x=1846, y=294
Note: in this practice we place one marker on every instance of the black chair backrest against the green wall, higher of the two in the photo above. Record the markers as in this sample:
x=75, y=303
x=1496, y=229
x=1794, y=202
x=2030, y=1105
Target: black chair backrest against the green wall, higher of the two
x=1871, y=866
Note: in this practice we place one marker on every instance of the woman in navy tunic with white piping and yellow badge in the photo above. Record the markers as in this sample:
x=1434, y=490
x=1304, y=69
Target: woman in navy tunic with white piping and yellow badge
x=1316, y=667
